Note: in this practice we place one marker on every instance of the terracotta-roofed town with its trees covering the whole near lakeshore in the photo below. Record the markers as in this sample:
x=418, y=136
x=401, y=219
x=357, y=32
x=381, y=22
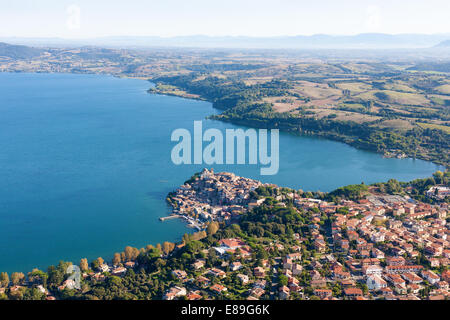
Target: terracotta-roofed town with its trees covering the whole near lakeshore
x=258, y=241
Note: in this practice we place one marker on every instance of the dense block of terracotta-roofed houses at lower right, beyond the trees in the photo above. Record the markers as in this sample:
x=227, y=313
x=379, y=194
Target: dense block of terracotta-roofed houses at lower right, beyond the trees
x=393, y=245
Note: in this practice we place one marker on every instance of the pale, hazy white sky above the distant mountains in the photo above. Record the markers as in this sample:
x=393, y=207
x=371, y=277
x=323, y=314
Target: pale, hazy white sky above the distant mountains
x=93, y=18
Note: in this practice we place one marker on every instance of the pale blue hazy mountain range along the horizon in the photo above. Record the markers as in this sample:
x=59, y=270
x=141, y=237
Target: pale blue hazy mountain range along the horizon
x=319, y=41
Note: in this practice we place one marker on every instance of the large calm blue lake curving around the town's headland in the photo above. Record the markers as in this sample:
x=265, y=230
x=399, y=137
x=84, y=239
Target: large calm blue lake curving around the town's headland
x=85, y=166
